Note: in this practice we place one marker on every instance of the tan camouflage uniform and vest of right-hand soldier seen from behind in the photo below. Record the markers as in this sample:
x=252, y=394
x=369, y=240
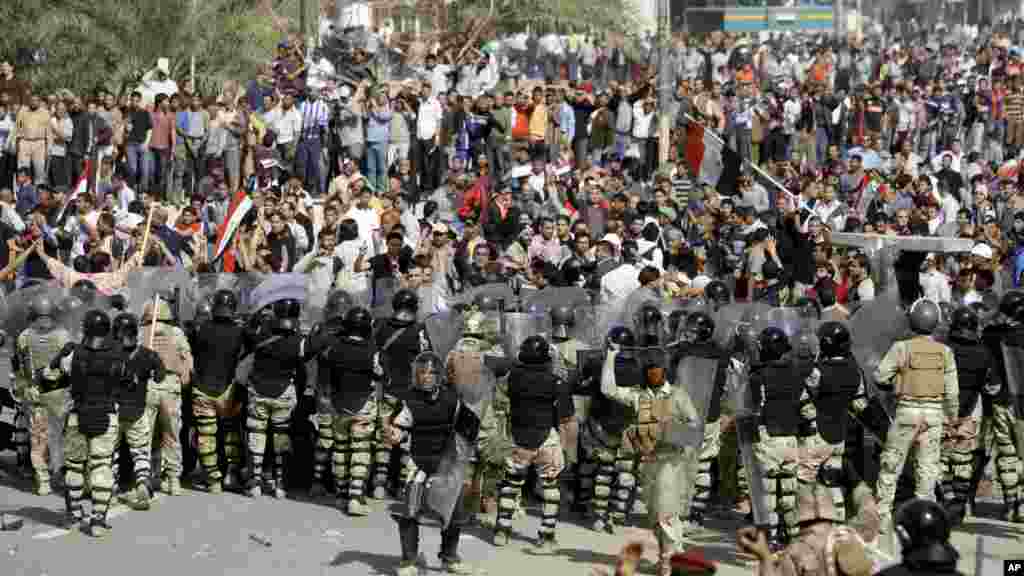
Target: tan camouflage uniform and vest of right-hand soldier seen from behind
x=927, y=393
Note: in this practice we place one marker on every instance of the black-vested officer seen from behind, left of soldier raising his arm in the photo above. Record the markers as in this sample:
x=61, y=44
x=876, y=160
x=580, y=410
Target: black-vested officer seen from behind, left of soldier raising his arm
x=540, y=404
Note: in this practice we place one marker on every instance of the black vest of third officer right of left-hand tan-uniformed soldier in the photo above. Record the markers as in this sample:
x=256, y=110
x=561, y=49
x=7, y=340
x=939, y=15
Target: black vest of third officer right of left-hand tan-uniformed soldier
x=352, y=366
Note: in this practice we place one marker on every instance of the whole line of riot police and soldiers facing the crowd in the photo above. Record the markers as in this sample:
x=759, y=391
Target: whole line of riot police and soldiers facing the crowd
x=390, y=404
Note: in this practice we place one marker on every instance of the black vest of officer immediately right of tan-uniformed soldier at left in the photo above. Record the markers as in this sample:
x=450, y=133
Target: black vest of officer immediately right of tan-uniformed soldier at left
x=219, y=349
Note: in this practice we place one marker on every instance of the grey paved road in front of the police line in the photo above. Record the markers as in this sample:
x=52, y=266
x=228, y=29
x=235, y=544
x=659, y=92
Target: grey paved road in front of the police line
x=198, y=534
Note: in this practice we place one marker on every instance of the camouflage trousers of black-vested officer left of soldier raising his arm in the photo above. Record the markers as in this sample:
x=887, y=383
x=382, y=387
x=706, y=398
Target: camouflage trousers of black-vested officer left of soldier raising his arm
x=549, y=462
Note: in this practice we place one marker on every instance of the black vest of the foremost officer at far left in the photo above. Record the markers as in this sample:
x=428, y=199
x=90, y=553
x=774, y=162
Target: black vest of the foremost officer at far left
x=96, y=376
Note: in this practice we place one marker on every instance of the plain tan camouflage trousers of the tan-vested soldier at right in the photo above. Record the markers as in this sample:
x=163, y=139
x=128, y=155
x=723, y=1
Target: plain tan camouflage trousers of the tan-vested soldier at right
x=917, y=426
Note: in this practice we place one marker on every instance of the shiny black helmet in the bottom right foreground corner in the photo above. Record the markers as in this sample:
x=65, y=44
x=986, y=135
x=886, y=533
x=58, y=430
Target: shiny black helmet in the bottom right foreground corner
x=924, y=529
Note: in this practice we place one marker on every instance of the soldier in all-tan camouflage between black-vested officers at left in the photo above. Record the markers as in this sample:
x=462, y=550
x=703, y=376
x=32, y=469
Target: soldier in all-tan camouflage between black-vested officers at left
x=164, y=398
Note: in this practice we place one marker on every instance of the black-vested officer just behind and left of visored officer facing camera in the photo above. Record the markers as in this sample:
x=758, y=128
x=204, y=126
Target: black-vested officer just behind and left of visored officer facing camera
x=400, y=341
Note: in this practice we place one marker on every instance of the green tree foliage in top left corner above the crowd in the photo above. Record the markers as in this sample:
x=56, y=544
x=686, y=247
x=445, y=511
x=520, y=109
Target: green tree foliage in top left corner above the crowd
x=111, y=44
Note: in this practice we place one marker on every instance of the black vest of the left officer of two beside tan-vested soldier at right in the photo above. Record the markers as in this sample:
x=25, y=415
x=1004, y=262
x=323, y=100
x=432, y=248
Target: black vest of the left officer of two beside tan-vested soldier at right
x=777, y=388
